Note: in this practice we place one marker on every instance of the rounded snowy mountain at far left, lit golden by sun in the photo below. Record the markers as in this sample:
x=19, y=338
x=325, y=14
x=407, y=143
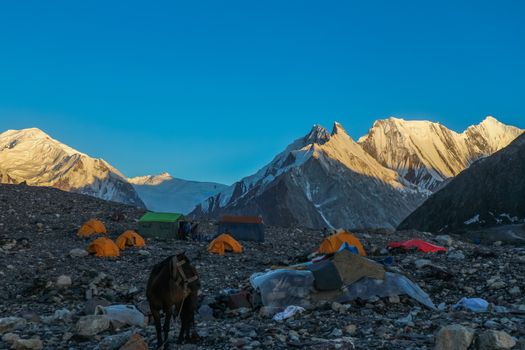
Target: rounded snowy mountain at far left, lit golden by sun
x=32, y=156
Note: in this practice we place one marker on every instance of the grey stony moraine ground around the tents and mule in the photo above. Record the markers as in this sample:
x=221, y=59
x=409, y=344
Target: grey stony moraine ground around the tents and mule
x=47, y=286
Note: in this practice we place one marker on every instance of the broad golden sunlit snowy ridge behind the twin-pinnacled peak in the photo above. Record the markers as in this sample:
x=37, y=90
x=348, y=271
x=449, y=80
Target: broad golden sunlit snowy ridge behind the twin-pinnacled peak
x=426, y=153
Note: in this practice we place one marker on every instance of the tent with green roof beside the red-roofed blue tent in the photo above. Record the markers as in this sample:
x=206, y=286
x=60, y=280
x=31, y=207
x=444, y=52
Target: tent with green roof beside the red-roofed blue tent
x=160, y=225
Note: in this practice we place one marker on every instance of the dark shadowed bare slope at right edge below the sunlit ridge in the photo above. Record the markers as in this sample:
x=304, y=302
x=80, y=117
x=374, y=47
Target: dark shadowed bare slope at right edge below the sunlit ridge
x=490, y=192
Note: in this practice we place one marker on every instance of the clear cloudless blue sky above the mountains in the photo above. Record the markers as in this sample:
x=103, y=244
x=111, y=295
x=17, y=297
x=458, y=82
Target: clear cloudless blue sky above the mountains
x=212, y=90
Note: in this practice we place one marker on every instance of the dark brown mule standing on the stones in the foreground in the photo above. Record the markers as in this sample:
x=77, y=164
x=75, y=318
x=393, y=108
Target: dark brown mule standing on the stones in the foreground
x=173, y=281
